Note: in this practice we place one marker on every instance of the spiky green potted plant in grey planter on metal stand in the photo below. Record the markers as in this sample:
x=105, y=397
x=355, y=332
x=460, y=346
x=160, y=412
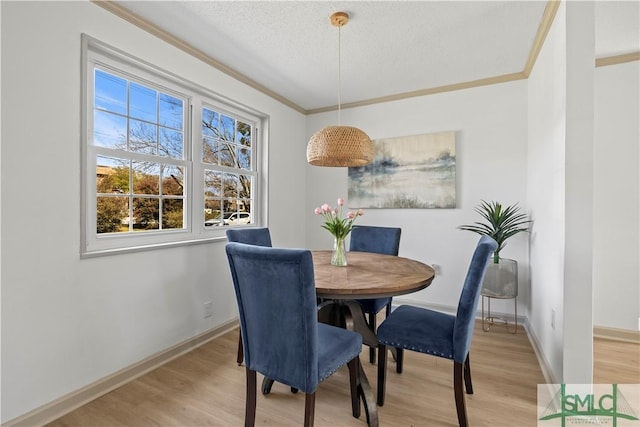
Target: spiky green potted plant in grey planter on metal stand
x=501, y=276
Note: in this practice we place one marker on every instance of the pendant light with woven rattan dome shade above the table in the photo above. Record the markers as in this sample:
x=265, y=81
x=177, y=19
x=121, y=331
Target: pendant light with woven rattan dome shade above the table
x=339, y=145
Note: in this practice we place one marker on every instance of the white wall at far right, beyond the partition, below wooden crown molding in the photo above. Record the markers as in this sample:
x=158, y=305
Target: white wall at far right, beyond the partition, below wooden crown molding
x=616, y=256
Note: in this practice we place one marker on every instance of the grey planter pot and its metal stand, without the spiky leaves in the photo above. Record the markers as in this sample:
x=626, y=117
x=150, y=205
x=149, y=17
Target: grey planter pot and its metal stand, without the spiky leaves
x=501, y=282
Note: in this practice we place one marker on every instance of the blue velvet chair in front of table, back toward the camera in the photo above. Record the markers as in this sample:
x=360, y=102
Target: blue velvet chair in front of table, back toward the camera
x=276, y=295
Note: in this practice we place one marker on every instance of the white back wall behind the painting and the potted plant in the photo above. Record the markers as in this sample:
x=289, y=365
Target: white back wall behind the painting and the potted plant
x=490, y=125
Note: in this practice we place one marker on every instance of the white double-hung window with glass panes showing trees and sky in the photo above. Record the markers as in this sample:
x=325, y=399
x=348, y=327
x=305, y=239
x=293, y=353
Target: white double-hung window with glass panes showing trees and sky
x=165, y=161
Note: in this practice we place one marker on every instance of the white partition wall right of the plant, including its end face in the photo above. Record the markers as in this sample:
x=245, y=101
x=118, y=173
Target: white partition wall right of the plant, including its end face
x=561, y=193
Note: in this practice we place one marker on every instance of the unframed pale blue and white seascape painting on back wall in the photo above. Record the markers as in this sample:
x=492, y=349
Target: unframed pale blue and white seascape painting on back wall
x=410, y=172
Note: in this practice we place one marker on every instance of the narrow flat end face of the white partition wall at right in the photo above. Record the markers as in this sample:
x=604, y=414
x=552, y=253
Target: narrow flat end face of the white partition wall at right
x=579, y=144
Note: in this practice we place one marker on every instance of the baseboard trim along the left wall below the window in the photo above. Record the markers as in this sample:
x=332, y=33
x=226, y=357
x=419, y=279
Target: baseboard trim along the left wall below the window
x=67, y=403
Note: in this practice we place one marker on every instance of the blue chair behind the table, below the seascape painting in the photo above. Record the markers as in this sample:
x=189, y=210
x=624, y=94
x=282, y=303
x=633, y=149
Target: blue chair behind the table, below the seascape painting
x=380, y=240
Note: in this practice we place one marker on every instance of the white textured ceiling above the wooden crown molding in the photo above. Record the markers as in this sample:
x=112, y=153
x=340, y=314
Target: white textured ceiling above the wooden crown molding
x=387, y=48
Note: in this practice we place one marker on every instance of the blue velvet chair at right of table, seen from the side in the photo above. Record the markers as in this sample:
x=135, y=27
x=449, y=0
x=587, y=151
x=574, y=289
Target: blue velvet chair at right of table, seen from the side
x=438, y=334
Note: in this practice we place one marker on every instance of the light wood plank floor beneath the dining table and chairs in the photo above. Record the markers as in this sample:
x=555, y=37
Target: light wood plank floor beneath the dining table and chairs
x=206, y=388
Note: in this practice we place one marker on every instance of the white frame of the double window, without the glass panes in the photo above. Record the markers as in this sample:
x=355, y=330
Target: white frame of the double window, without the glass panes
x=97, y=53
